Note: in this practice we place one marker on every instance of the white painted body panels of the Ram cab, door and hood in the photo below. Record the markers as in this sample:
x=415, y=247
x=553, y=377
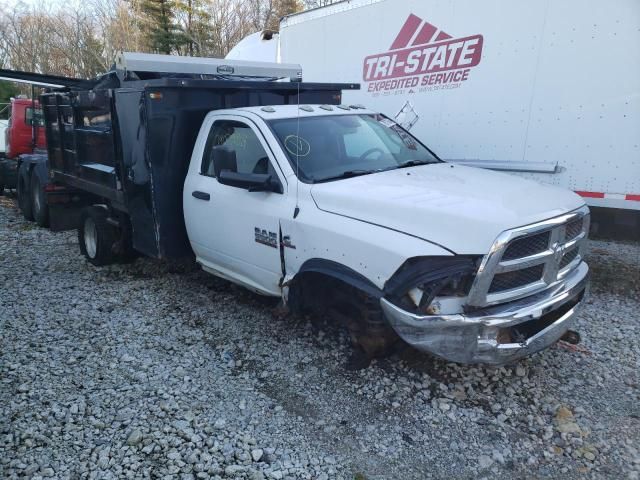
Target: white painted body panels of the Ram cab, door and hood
x=371, y=224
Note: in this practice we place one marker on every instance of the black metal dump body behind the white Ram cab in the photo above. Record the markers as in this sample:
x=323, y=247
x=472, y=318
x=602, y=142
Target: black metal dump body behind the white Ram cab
x=130, y=147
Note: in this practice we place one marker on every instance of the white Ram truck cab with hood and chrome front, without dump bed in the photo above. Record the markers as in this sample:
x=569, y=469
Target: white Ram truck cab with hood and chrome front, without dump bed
x=341, y=207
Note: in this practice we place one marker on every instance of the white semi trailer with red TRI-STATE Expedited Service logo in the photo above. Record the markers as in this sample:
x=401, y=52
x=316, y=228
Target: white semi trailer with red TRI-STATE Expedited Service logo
x=547, y=90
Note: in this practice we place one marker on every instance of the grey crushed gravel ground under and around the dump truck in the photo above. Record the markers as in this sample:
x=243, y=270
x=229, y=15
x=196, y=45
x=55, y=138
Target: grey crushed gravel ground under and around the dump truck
x=152, y=370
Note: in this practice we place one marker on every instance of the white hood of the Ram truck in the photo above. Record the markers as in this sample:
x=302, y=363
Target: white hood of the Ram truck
x=460, y=208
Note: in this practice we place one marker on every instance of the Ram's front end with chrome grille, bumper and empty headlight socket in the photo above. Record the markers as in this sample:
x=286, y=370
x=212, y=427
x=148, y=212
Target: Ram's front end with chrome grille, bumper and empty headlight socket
x=517, y=300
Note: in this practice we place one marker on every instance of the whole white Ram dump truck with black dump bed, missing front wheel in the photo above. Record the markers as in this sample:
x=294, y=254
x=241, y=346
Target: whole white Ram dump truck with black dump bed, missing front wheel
x=283, y=188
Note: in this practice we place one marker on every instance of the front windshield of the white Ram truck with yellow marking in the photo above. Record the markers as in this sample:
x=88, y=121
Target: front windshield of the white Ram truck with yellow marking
x=340, y=146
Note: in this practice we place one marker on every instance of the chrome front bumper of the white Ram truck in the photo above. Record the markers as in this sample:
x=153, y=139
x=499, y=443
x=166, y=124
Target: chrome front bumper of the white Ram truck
x=499, y=334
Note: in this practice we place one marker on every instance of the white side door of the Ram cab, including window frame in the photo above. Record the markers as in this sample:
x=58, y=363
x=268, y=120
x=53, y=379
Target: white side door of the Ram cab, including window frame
x=235, y=232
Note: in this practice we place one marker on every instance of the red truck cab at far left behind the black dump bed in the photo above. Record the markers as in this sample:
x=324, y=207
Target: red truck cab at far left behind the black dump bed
x=24, y=120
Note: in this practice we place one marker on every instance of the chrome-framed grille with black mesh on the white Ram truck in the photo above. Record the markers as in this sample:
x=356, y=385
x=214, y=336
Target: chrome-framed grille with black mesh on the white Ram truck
x=526, y=260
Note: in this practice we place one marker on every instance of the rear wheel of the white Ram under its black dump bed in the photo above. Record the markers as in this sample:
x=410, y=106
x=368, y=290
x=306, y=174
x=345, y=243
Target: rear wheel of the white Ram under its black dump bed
x=96, y=237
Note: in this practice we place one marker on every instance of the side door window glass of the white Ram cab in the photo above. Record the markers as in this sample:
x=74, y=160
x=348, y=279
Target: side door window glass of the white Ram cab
x=234, y=146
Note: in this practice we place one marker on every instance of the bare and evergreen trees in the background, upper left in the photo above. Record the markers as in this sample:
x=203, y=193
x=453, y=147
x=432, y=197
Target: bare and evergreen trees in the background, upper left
x=80, y=38
